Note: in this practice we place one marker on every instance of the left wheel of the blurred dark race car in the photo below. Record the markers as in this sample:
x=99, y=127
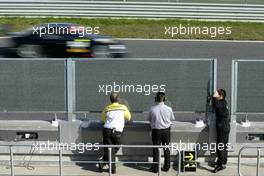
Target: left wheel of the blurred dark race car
x=30, y=51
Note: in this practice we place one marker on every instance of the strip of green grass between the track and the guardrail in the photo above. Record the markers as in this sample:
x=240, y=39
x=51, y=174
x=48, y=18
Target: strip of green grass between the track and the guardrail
x=153, y=29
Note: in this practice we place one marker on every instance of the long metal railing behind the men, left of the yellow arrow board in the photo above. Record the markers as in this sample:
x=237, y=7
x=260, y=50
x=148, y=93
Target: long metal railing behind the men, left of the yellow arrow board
x=110, y=162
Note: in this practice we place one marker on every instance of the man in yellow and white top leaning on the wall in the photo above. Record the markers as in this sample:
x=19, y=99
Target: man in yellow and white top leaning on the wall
x=113, y=117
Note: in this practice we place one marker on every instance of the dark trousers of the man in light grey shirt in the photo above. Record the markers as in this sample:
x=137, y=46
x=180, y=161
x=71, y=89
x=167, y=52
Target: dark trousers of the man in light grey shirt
x=161, y=136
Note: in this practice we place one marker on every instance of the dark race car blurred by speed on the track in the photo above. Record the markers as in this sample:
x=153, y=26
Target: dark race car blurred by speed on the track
x=61, y=40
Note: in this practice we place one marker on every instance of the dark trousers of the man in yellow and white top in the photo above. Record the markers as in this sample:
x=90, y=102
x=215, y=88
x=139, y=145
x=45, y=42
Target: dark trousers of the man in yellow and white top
x=111, y=137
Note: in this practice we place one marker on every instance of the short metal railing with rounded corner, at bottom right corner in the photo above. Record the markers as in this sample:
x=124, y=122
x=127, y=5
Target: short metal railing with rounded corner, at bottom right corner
x=258, y=158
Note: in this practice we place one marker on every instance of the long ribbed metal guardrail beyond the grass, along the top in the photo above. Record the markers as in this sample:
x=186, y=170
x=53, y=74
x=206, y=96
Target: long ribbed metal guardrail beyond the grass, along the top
x=86, y=9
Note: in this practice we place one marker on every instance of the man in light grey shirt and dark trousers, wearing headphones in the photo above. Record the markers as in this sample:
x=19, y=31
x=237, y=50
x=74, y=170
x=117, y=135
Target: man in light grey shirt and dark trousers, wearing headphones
x=160, y=117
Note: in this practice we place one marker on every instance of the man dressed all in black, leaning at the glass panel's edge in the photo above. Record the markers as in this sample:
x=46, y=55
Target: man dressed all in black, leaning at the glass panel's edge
x=222, y=128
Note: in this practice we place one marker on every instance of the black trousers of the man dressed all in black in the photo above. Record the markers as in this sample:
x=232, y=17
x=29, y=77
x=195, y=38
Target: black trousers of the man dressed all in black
x=222, y=138
